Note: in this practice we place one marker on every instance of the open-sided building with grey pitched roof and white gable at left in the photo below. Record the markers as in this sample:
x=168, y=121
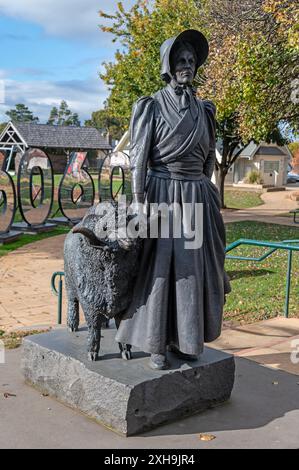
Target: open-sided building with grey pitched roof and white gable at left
x=57, y=141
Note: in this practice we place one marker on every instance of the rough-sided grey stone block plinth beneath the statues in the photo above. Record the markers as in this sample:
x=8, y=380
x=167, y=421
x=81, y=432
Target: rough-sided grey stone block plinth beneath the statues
x=126, y=396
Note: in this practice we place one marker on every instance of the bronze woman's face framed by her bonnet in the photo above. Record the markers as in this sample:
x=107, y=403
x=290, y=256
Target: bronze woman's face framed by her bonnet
x=184, y=66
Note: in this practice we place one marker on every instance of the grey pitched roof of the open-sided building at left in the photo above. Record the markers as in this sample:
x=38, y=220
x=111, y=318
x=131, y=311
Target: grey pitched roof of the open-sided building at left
x=44, y=135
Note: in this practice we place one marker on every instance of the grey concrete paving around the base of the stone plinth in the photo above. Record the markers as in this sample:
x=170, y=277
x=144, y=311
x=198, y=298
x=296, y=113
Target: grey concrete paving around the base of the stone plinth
x=263, y=412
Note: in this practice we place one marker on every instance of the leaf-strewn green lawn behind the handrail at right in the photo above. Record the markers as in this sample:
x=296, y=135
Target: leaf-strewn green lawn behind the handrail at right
x=258, y=288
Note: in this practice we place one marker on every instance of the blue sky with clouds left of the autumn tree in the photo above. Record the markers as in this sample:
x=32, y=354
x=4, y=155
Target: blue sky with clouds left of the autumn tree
x=53, y=50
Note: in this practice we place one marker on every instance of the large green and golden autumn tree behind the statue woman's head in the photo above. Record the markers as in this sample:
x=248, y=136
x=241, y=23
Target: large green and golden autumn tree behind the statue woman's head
x=249, y=74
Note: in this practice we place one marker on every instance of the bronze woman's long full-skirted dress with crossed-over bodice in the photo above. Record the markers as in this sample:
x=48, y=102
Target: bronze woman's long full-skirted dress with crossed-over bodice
x=179, y=294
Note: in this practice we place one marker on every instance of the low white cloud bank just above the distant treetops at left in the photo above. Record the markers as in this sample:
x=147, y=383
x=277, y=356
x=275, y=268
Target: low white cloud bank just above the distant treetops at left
x=82, y=96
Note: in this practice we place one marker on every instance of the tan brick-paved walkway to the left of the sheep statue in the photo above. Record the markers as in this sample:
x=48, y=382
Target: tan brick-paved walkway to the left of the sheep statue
x=25, y=293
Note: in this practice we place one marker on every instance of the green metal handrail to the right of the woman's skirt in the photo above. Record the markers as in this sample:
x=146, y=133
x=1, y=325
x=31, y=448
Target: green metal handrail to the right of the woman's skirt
x=284, y=245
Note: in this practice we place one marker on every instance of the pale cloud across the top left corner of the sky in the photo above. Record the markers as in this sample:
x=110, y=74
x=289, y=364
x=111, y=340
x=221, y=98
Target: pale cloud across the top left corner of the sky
x=64, y=18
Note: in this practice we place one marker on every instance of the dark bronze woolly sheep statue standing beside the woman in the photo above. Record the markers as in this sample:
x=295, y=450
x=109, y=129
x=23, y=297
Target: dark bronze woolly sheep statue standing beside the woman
x=100, y=267
